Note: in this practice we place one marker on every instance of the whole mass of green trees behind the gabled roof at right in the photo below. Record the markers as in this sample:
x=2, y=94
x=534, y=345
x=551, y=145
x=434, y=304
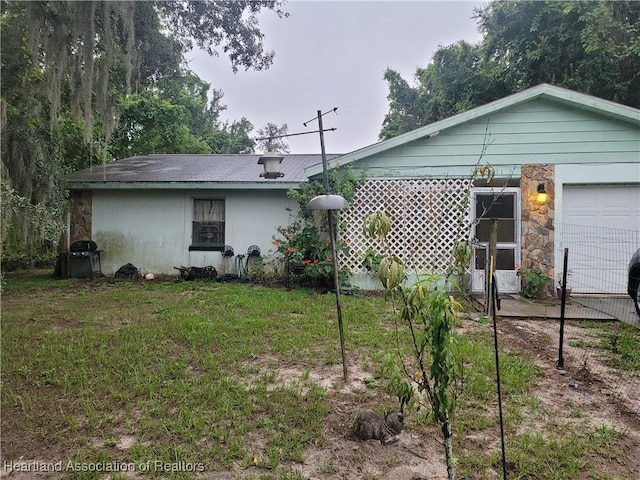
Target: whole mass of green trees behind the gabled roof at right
x=591, y=47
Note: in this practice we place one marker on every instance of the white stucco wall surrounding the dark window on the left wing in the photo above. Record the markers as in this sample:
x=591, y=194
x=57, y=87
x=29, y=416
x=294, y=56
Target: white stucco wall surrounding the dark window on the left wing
x=152, y=228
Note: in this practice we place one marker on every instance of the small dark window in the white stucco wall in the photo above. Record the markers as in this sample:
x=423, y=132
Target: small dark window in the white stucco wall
x=208, y=225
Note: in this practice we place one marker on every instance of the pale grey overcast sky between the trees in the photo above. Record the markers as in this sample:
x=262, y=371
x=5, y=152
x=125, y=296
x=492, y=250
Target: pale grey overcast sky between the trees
x=334, y=54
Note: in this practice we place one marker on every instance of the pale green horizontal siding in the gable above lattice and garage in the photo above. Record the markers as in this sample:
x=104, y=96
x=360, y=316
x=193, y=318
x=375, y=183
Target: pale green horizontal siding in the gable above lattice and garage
x=540, y=131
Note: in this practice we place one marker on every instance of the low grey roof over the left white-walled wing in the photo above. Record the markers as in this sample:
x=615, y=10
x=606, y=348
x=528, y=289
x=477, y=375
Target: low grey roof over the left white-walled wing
x=196, y=168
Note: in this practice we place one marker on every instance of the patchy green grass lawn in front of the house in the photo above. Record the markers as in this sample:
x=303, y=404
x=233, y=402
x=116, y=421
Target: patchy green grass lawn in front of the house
x=185, y=380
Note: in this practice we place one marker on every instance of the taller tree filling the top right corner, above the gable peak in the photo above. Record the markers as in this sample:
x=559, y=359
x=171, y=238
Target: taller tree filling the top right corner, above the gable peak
x=592, y=47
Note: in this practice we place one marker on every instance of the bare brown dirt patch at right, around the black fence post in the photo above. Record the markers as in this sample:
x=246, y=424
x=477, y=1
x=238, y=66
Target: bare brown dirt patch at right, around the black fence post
x=586, y=385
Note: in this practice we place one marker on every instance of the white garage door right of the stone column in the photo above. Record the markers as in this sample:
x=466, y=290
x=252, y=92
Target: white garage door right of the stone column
x=601, y=229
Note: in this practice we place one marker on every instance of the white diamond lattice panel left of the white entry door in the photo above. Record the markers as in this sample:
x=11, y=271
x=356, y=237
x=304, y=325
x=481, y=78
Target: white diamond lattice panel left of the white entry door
x=426, y=221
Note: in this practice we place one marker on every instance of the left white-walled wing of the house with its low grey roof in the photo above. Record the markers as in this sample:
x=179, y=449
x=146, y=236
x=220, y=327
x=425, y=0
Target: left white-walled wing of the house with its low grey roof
x=164, y=211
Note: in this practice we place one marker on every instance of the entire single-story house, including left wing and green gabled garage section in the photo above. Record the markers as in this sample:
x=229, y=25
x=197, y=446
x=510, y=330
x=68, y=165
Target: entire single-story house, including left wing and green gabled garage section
x=584, y=152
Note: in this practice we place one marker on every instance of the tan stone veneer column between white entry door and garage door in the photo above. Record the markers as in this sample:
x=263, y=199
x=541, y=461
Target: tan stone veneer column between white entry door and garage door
x=538, y=218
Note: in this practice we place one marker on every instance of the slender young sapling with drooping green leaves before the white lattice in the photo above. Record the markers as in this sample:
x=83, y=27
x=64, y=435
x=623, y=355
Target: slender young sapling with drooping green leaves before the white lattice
x=428, y=312
